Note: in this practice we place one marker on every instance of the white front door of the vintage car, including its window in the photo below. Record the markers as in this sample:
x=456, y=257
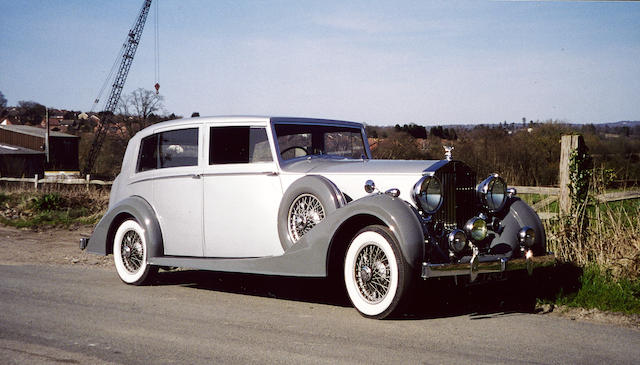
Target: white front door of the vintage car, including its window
x=242, y=193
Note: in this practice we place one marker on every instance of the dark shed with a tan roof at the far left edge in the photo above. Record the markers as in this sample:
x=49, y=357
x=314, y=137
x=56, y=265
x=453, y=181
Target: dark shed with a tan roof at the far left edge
x=63, y=148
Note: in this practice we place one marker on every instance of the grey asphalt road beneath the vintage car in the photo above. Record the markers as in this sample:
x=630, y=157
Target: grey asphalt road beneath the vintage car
x=68, y=314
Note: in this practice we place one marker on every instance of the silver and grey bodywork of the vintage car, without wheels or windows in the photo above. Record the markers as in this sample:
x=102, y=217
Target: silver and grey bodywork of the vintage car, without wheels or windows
x=228, y=217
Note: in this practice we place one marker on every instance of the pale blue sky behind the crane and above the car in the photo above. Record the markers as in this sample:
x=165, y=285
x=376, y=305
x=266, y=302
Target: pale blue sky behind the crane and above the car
x=379, y=62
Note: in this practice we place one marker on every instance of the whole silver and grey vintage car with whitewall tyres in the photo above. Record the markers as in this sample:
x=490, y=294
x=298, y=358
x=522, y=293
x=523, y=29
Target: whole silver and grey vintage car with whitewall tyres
x=296, y=197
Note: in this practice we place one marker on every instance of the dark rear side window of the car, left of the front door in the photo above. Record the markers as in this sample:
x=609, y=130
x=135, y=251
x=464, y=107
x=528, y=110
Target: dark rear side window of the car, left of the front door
x=169, y=149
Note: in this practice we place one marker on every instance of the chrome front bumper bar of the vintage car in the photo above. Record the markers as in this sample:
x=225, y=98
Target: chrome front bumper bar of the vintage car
x=485, y=265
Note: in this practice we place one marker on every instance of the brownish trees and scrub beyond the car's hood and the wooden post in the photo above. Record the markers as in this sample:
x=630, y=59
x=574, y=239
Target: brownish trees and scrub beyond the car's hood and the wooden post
x=524, y=155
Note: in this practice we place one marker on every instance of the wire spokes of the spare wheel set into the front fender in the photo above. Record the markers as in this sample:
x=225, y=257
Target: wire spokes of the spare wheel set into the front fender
x=305, y=212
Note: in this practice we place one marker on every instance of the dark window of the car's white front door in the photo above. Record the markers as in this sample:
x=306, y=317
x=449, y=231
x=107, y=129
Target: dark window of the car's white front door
x=238, y=145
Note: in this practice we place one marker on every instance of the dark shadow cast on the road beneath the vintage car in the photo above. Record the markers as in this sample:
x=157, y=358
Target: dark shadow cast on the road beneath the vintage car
x=428, y=299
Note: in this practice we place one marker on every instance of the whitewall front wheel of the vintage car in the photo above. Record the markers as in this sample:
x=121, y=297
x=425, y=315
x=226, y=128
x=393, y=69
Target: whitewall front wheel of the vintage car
x=376, y=274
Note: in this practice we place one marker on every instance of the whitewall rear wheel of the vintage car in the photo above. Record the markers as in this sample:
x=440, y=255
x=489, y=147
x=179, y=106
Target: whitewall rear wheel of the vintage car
x=130, y=254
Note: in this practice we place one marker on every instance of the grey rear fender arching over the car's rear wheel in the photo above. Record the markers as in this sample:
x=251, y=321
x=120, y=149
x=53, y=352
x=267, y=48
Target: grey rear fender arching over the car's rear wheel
x=133, y=207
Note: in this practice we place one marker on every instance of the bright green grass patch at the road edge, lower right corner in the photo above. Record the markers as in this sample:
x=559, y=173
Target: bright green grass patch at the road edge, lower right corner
x=599, y=290
